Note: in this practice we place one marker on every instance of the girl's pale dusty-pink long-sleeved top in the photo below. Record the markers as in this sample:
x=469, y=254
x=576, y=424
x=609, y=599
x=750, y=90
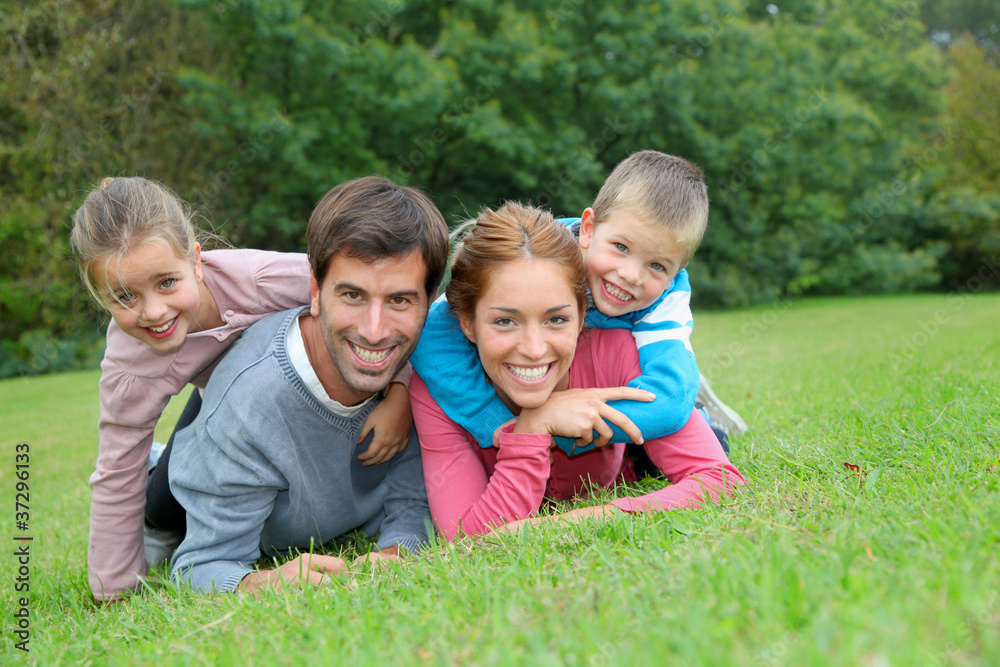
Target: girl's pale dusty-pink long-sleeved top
x=136, y=384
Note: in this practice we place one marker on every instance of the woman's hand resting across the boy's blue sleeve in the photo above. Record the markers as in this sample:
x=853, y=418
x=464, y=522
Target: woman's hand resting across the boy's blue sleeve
x=577, y=413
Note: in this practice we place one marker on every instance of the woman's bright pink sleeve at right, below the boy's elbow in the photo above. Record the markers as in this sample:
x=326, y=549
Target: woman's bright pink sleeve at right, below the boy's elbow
x=693, y=460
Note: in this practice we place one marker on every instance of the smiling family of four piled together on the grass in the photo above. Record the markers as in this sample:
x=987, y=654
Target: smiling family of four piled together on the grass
x=334, y=394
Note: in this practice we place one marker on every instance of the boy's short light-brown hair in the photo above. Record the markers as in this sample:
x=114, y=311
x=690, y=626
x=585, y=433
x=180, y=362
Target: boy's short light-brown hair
x=662, y=189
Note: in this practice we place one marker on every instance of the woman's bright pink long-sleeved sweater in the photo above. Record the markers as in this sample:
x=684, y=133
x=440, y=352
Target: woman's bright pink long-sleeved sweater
x=471, y=489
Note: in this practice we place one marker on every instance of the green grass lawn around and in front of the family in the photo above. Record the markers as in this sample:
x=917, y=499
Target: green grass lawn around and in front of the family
x=813, y=563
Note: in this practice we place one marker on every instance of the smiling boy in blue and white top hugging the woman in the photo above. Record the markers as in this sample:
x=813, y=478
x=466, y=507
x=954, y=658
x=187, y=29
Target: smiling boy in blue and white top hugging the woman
x=642, y=230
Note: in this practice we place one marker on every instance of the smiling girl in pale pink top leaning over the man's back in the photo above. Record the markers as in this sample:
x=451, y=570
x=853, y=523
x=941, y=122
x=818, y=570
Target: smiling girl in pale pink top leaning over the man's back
x=175, y=312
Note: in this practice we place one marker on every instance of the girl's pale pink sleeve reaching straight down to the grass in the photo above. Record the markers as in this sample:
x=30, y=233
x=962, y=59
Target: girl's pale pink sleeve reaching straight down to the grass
x=130, y=408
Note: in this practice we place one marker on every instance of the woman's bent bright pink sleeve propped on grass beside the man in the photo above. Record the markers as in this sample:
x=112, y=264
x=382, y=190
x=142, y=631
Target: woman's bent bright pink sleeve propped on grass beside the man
x=463, y=497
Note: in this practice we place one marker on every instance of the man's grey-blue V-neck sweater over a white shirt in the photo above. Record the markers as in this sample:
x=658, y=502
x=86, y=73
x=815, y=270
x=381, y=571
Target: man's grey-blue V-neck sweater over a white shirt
x=266, y=468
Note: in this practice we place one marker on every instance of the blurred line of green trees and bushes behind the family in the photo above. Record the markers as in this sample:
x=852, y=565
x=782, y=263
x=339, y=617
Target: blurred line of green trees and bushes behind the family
x=850, y=146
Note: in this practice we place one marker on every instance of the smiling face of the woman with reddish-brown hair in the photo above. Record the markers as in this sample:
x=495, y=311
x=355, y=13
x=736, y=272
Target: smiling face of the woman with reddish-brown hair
x=525, y=325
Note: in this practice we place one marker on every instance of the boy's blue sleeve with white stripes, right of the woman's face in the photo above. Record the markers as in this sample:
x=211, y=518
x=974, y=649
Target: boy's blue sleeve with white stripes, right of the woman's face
x=662, y=333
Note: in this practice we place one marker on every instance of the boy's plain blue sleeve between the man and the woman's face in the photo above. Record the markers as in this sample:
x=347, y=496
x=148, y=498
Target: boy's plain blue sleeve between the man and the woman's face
x=449, y=364
